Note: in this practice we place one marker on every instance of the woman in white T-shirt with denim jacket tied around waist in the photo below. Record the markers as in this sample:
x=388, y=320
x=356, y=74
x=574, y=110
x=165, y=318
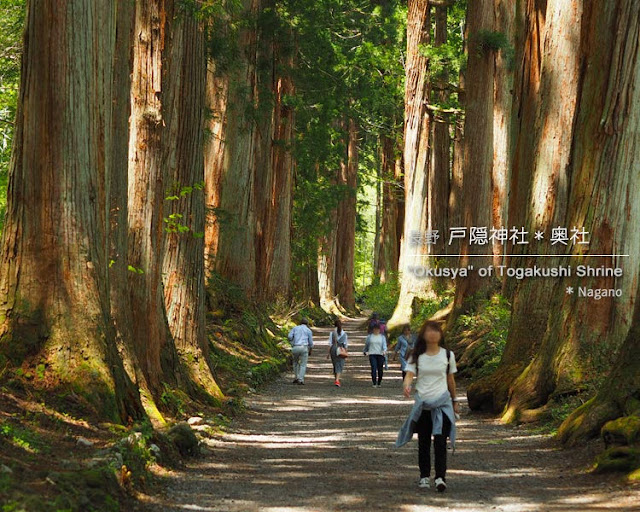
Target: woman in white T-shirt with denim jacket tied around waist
x=436, y=405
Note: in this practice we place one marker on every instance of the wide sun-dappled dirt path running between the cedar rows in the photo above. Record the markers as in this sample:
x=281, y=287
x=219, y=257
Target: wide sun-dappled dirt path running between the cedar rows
x=317, y=448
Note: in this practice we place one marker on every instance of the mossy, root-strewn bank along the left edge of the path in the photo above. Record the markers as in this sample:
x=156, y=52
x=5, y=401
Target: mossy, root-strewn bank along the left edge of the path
x=44, y=468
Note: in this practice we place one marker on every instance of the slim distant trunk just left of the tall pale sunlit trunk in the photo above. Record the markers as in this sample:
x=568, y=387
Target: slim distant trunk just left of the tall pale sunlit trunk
x=388, y=247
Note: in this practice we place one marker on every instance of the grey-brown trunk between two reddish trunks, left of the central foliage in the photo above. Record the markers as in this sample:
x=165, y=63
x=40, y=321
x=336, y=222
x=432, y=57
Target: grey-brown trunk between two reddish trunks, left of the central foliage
x=235, y=258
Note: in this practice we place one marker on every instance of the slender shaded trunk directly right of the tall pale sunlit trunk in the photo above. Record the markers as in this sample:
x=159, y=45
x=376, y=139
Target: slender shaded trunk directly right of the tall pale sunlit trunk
x=439, y=174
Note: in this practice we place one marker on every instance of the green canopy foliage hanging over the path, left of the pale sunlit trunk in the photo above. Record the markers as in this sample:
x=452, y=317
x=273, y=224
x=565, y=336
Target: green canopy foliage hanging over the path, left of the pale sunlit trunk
x=349, y=65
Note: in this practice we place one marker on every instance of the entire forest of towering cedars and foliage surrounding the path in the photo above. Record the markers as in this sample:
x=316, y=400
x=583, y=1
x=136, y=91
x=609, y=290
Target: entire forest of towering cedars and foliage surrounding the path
x=182, y=179
